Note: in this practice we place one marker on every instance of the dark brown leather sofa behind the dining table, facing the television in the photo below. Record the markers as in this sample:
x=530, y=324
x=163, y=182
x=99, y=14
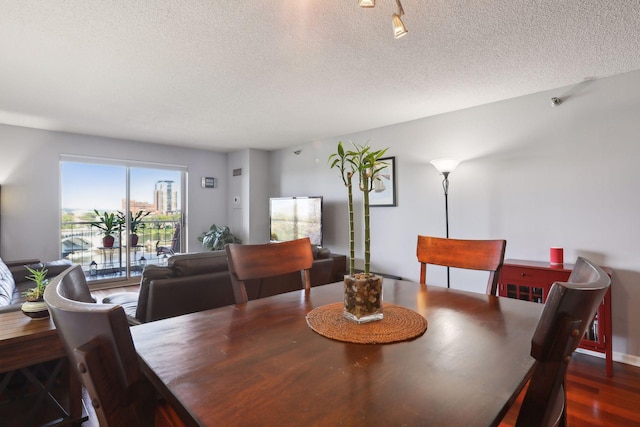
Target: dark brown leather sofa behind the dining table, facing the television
x=201, y=281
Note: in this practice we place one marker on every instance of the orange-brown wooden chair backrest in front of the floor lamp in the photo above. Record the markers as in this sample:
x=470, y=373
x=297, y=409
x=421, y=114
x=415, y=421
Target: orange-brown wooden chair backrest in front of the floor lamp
x=487, y=255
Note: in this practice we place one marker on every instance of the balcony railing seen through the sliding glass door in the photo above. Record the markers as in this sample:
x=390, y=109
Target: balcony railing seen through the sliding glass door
x=82, y=244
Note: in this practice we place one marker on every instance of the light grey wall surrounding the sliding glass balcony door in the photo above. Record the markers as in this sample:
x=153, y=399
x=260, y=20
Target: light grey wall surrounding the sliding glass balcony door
x=29, y=176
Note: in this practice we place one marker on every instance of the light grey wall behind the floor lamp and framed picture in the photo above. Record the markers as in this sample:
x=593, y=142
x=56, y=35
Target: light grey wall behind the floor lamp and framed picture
x=536, y=175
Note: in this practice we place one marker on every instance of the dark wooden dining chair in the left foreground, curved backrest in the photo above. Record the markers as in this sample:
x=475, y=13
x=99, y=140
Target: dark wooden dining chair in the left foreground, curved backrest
x=98, y=343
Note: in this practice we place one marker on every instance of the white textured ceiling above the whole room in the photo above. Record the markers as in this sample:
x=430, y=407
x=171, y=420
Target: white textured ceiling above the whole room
x=227, y=75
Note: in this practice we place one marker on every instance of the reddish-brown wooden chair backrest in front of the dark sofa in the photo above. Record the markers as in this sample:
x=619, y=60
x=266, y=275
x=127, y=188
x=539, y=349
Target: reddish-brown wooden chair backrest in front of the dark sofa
x=247, y=262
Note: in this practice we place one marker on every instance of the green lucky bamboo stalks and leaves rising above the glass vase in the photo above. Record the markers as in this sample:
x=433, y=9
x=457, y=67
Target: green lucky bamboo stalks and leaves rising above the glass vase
x=365, y=163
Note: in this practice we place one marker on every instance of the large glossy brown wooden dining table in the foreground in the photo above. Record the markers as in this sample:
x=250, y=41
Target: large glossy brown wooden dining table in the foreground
x=261, y=364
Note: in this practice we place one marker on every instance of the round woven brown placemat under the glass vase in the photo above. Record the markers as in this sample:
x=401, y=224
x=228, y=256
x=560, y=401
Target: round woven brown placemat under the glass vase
x=398, y=324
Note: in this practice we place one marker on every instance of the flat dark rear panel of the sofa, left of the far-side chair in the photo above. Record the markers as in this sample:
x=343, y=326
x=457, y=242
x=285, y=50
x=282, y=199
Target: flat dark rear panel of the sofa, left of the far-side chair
x=189, y=294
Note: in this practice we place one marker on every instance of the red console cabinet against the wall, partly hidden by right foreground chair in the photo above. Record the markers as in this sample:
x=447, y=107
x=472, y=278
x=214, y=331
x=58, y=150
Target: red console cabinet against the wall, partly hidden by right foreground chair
x=532, y=280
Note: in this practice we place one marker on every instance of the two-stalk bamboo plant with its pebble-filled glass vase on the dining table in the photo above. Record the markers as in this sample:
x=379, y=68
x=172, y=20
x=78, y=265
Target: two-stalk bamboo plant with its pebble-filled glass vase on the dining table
x=363, y=291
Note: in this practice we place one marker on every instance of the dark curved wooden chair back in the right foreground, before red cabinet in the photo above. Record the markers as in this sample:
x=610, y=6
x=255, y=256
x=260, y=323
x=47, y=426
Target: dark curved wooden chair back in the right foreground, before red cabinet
x=568, y=311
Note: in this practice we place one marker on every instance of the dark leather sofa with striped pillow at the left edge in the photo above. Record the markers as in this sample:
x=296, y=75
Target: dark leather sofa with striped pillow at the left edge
x=13, y=279
